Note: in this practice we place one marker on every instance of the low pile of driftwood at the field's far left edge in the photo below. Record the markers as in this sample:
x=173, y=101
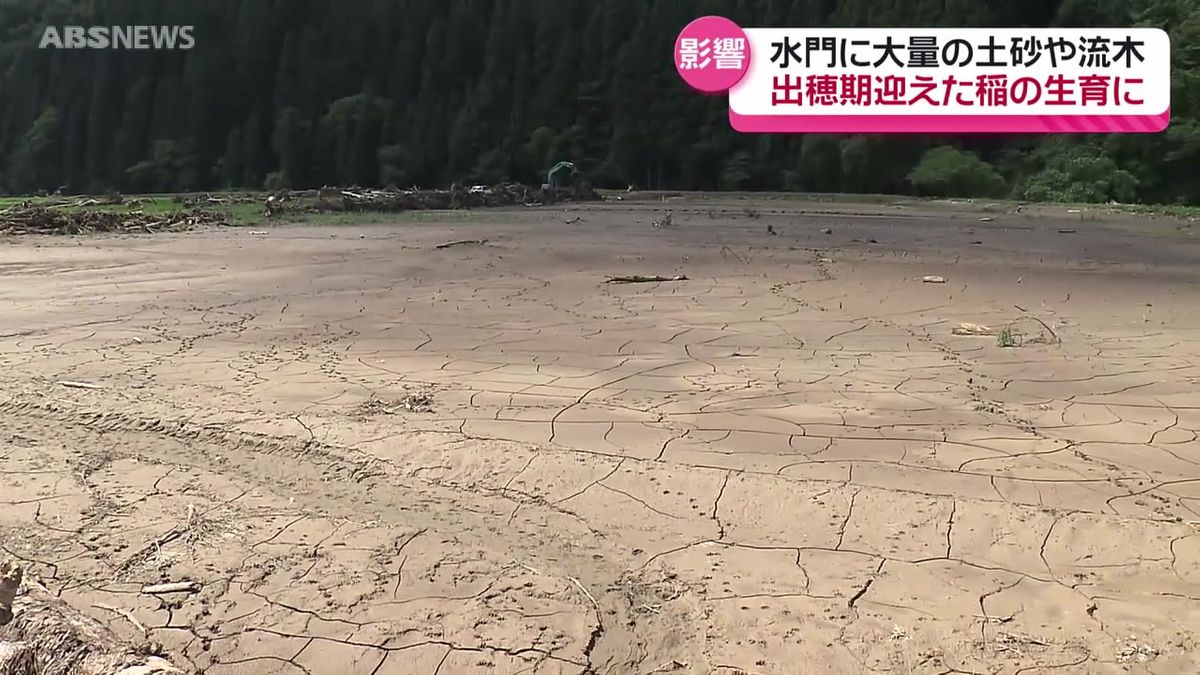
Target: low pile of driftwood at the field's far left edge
x=35, y=219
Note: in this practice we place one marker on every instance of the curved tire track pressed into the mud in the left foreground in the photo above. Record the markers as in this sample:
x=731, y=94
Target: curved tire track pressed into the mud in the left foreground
x=344, y=483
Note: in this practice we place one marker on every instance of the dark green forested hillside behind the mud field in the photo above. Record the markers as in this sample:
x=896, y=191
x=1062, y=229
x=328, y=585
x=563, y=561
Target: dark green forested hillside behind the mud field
x=304, y=93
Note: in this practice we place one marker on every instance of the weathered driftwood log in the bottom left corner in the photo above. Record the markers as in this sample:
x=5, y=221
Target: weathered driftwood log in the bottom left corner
x=41, y=635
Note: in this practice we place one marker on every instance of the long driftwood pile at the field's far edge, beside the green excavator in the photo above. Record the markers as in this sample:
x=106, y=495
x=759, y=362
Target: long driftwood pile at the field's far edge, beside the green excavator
x=395, y=200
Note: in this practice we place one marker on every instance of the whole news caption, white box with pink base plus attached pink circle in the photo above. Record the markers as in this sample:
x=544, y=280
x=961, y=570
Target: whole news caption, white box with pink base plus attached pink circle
x=932, y=81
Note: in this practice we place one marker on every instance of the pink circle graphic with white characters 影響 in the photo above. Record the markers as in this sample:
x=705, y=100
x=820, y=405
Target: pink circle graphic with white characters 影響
x=712, y=55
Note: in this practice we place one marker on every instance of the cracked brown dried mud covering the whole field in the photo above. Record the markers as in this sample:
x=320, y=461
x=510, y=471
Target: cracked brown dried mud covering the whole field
x=784, y=464
